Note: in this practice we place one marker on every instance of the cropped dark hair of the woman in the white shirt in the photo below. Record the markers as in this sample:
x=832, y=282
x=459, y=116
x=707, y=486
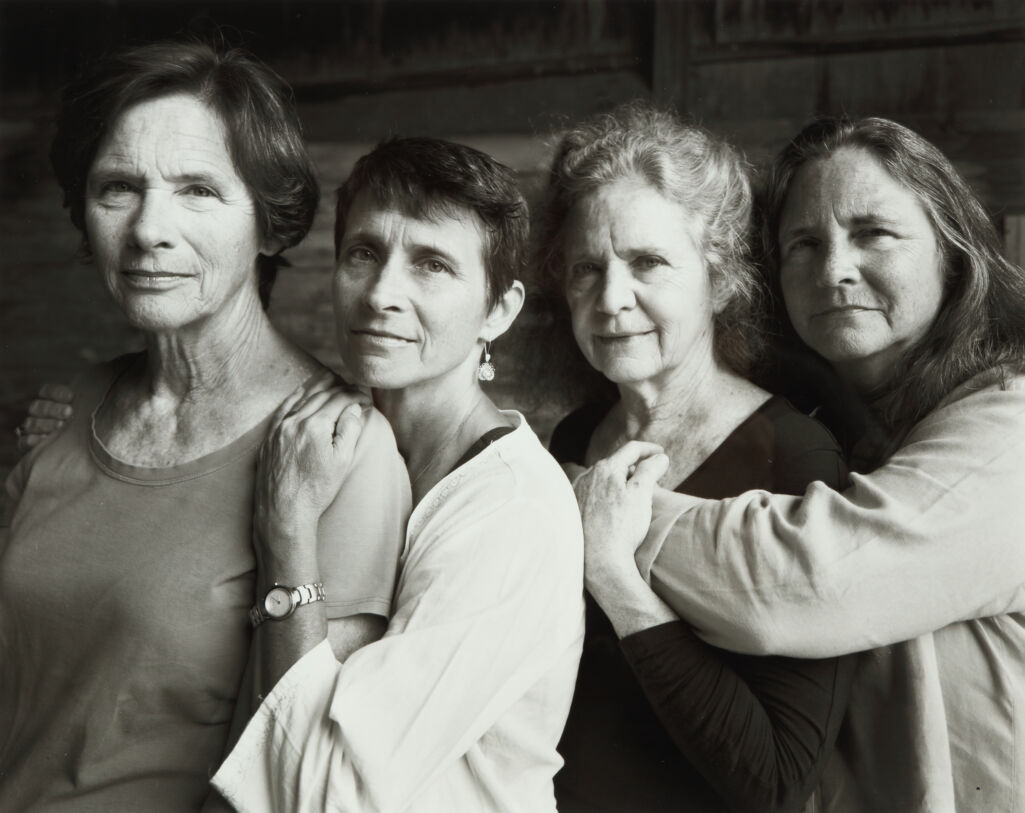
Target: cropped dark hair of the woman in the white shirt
x=427, y=178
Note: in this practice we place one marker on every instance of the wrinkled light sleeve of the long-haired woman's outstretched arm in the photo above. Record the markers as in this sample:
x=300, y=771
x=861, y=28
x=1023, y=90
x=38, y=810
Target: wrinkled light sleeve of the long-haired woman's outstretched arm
x=930, y=539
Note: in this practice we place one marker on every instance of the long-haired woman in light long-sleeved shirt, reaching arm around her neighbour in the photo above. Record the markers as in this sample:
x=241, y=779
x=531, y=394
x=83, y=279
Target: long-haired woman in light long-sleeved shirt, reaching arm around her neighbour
x=892, y=274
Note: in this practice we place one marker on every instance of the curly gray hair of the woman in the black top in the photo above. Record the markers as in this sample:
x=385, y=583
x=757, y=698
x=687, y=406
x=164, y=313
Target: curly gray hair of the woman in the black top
x=686, y=165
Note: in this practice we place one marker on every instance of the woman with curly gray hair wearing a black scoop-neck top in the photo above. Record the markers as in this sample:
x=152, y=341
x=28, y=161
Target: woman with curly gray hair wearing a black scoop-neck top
x=645, y=232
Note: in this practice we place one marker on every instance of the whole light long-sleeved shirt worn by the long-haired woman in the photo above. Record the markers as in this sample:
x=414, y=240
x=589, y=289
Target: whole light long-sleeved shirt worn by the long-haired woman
x=928, y=550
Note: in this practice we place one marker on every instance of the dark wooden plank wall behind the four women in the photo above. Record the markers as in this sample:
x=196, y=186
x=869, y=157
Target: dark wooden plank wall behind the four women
x=504, y=77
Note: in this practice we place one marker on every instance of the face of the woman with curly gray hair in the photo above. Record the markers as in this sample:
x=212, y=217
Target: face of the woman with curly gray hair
x=637, y=284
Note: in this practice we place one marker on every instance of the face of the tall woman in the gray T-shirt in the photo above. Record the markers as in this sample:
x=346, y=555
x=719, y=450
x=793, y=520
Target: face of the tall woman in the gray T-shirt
x=172, y=226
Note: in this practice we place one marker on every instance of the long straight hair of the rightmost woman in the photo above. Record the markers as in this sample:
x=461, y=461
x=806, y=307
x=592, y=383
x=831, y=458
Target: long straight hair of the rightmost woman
x=981, y=322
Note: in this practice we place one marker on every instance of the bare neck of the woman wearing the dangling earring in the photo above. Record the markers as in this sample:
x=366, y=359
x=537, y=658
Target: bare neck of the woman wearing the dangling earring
x=435, y=425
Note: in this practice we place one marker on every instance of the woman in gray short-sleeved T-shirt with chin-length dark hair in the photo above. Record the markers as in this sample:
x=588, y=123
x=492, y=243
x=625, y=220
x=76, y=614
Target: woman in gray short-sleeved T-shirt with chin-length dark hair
x=129, y=575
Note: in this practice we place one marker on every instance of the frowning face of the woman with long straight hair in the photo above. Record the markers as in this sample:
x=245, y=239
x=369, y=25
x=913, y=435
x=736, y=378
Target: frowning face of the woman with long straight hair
x=862, y=269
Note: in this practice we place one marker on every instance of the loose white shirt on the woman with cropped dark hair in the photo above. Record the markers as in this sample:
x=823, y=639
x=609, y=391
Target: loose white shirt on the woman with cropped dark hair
x=462, y=705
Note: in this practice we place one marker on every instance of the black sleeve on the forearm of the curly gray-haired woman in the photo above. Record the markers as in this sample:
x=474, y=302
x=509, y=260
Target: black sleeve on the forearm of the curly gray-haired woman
x=759, y=729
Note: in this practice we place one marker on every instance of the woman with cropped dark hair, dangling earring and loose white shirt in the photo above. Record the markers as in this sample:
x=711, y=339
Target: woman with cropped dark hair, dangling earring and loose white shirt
x=461, y=705
